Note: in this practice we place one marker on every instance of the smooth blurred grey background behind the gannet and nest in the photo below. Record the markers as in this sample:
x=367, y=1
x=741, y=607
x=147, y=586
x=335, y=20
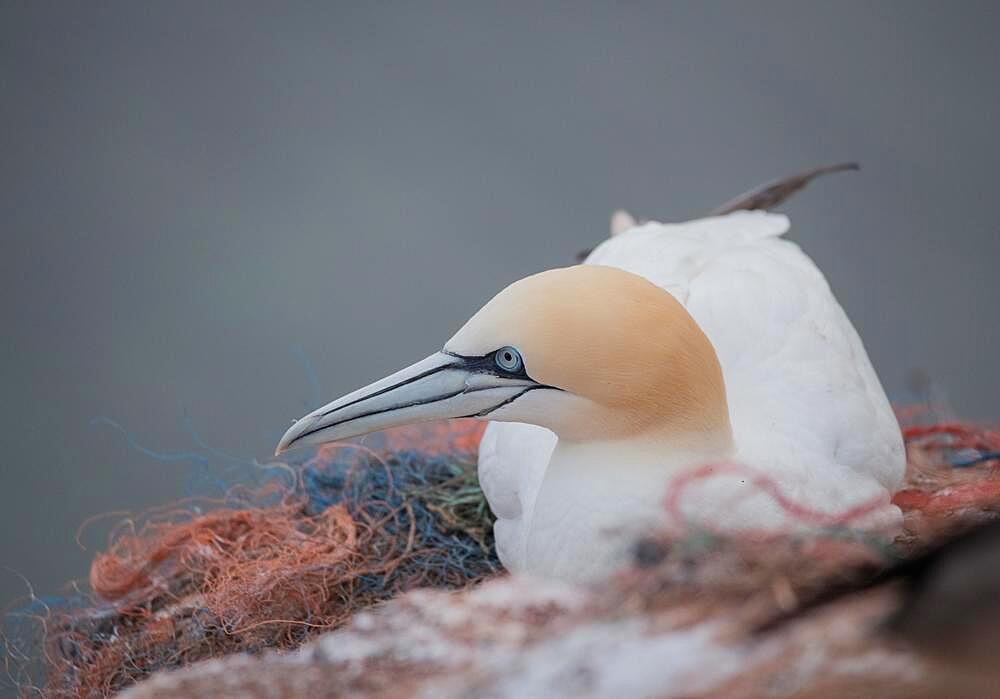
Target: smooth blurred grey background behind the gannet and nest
x=221, y=214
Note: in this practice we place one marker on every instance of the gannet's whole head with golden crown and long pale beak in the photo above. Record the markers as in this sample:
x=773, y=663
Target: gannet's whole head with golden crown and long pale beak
x=590, y=352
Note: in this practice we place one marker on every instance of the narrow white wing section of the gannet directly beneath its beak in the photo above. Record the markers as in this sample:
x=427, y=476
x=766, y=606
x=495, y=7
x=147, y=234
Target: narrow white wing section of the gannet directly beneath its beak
x=512, y=461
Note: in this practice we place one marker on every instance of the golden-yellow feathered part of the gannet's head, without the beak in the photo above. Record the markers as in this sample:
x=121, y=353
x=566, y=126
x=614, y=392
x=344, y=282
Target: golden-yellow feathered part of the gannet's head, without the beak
x=625, y=352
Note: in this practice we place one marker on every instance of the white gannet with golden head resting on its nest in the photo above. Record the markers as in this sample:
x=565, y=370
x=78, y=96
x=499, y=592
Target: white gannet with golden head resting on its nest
x=673, y=346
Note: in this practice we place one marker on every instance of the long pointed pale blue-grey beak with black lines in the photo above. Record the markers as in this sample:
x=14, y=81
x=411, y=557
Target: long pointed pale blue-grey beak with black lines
x=439, y=387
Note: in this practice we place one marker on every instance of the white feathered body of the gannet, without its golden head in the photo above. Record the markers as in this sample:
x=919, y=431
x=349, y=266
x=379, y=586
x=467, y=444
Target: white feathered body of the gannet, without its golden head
x=805, y=406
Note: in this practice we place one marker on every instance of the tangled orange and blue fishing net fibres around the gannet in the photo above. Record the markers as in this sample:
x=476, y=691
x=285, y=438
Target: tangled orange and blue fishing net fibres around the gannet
x=351, y=526
